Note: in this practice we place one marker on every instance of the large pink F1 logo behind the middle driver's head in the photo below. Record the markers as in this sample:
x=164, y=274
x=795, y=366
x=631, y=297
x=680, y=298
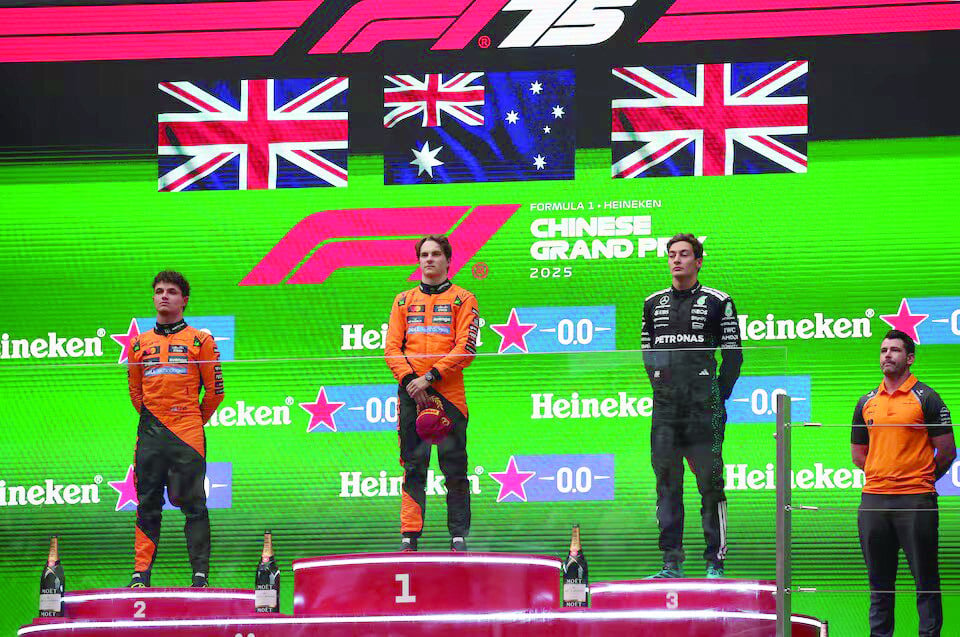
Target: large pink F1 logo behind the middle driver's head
x=313, y=233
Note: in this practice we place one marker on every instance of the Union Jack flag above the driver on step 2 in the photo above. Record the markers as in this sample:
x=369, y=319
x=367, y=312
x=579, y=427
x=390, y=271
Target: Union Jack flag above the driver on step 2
x=253, y=134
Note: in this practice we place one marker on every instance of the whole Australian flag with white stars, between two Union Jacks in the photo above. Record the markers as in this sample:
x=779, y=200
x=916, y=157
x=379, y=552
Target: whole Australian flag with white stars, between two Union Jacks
x=476, y=127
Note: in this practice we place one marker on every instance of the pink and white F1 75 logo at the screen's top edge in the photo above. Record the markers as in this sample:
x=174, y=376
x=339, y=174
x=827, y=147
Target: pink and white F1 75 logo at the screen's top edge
x=454, y=24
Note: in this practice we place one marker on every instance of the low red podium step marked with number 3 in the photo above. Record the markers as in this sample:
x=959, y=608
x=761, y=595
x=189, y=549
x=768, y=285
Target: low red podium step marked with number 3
x=685, y=594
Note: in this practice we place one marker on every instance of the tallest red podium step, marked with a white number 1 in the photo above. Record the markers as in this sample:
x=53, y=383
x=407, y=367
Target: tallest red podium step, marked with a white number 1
x=405, y=583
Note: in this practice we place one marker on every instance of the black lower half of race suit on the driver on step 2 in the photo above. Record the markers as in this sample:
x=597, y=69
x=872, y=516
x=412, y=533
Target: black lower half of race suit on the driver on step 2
x=163, y=460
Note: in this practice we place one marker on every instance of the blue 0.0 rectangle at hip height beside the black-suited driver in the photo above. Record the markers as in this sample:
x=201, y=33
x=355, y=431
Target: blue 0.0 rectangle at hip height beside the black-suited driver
x=754, y=398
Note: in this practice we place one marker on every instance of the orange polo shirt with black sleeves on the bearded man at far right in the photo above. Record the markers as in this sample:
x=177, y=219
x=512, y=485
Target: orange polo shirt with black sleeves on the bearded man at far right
x=900, y=458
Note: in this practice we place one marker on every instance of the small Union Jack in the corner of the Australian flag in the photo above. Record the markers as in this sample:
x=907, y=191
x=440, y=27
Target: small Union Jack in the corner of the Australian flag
x=411, y=95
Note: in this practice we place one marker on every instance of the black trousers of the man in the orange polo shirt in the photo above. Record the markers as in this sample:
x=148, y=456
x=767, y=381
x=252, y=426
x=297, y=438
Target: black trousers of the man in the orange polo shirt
x=888, y=523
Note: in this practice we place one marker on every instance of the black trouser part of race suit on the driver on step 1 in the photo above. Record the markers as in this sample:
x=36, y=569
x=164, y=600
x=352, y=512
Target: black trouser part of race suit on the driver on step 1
x=415, y=458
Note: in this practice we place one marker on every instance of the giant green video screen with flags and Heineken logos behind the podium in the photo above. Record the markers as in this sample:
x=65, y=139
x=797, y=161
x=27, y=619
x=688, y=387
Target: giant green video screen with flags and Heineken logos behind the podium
x=289, y=181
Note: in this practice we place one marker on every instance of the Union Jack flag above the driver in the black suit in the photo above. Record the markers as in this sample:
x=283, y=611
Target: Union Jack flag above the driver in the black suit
x=711, y=119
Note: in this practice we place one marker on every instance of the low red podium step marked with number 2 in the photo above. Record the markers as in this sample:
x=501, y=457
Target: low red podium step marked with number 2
x=158, y=603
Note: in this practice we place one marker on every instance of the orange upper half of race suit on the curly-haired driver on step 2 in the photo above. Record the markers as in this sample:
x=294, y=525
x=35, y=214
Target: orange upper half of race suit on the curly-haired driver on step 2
x=166, y=369
